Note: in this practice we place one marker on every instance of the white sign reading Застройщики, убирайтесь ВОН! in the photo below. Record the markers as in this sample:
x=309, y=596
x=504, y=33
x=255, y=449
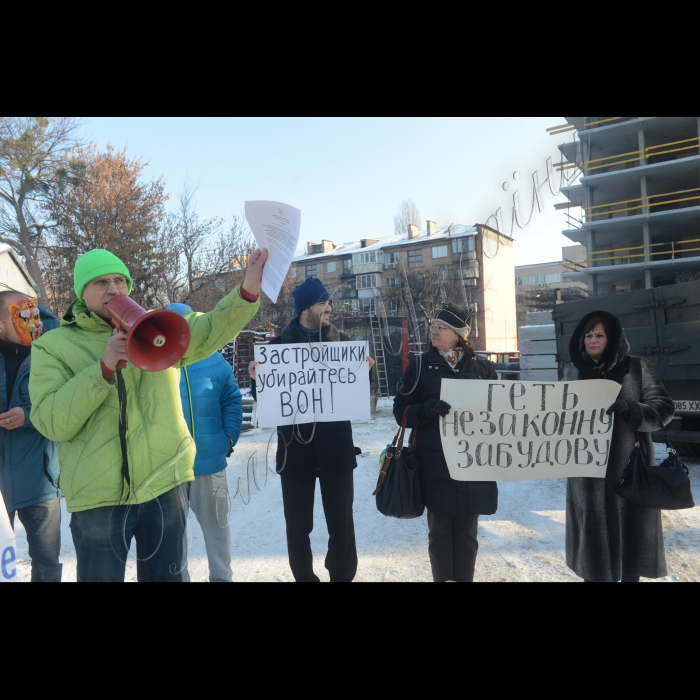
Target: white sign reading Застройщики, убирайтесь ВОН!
x=301, y=383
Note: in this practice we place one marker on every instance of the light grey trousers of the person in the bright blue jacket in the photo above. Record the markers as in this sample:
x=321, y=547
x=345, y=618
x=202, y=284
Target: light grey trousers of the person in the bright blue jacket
x=208, y=497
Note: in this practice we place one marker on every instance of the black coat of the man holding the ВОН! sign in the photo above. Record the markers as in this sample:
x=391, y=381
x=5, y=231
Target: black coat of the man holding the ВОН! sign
x=332, y=450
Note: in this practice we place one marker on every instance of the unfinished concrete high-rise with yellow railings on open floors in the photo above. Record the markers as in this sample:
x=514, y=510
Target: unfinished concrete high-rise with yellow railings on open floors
x=640, y=197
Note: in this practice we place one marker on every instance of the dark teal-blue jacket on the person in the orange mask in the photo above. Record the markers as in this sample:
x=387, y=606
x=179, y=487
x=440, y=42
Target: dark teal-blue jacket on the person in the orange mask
x=28, y=461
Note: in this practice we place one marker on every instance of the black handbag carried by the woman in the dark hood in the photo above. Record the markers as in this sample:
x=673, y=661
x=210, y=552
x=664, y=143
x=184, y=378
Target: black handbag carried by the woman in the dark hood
x=665, y=486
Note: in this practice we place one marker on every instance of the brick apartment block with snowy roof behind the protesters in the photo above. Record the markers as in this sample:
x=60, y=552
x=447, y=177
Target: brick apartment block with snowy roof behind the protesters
x=466, y=264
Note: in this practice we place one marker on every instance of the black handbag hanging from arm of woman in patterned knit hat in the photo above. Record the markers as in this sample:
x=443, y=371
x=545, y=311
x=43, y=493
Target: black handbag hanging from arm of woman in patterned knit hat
x=399, y=493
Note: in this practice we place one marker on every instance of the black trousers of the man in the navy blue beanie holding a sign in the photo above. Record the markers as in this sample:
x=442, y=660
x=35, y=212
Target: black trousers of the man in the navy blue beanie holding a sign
x=337, y=493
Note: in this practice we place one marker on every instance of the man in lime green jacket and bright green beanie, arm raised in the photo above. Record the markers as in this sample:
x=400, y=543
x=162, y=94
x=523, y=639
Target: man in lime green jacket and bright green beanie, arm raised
x=124, y=446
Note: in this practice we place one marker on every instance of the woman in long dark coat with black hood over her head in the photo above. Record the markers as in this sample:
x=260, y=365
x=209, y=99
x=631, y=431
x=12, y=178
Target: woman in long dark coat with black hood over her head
x=609, y=539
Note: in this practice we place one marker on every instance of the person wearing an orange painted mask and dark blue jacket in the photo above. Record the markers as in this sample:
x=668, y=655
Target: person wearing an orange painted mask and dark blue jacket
x=28, y=461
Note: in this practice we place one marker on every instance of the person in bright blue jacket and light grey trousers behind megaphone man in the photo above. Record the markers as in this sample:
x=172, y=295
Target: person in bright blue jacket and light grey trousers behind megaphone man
x=213, y=409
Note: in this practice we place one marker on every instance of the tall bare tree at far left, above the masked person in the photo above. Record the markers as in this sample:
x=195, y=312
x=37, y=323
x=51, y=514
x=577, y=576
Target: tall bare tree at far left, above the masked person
x=32, y=151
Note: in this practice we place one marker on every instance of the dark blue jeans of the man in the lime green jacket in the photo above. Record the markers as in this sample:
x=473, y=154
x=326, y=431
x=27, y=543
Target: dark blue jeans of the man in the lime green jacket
x=102, y=538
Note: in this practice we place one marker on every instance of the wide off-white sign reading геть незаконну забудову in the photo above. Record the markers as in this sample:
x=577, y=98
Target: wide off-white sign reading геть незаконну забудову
x=520, y=431
